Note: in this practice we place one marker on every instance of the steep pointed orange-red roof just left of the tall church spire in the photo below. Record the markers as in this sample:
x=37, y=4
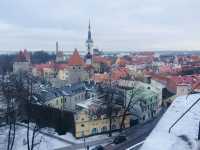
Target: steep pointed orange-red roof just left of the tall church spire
x=75, y=59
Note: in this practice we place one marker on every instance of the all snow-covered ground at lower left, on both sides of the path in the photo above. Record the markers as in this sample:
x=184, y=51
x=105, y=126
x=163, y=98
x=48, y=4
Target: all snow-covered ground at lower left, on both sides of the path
x=43, y=142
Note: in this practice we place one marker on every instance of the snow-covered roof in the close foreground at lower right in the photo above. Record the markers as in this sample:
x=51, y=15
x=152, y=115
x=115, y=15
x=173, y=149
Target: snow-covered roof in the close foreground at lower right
x=184, y=134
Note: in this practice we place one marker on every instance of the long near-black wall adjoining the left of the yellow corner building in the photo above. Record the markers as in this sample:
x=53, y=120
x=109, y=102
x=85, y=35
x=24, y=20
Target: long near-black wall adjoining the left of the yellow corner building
x=61, y=121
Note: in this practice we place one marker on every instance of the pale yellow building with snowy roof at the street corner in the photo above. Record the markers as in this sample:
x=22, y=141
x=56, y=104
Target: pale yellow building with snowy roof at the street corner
x=88, y=120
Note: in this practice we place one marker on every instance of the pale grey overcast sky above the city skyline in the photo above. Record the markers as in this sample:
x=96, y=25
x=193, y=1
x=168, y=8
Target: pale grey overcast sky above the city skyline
x=116, y=24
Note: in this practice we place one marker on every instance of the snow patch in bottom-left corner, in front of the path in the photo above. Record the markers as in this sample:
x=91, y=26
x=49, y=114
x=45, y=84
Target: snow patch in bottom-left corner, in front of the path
x=41, y=143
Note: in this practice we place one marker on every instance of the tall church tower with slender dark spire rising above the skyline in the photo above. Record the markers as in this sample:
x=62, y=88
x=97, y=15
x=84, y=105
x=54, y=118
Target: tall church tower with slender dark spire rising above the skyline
x=89, y=44
